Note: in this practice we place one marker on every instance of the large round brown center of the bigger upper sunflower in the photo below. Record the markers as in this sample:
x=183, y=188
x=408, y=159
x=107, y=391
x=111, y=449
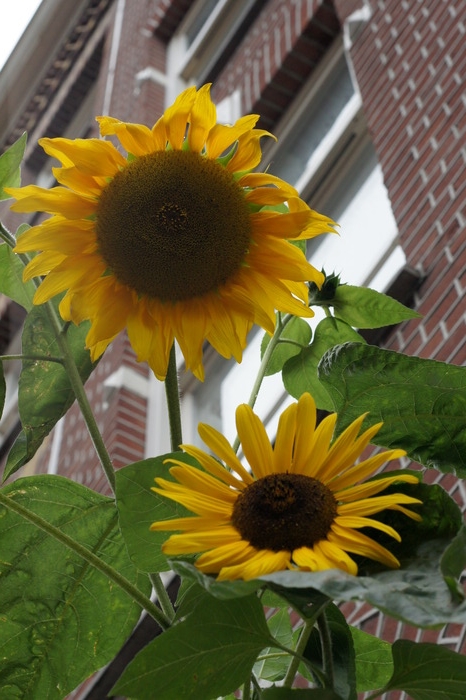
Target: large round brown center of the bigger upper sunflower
x=173, y=225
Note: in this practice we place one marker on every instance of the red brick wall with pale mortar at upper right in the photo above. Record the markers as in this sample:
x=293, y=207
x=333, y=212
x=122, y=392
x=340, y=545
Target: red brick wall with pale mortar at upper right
x=410, y=65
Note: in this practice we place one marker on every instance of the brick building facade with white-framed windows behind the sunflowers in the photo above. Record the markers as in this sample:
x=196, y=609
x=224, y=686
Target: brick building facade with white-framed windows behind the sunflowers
x=367, y=99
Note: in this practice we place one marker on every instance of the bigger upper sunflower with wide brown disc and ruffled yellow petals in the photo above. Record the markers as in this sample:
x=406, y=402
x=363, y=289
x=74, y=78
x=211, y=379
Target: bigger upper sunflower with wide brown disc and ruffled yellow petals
x=178, y=240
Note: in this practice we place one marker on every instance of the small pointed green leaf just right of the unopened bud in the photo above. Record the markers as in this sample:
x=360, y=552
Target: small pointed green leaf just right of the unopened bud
x=362, y=307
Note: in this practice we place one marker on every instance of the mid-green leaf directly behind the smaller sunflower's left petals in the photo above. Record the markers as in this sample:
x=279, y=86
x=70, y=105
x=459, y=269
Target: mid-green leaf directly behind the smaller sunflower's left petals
x=139, y=507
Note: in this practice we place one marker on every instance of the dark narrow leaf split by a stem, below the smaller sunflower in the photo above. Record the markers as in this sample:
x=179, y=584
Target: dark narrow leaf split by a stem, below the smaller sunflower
x=341, y=644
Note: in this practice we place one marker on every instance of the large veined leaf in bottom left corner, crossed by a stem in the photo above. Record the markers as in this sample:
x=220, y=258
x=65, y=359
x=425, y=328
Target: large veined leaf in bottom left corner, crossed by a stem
x=60, y=619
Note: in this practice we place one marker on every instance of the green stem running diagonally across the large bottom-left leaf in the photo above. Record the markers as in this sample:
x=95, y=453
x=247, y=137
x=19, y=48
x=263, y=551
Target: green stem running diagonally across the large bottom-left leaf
x=91, y=559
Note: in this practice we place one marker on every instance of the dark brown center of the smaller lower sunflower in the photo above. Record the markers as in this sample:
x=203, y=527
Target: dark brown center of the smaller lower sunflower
x=284, y=512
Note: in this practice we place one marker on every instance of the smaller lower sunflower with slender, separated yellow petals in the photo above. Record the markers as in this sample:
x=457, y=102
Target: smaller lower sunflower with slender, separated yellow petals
x=301, y=508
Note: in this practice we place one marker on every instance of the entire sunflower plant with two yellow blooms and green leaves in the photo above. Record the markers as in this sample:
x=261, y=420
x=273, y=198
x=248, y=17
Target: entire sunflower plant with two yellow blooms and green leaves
x=172, y=235
